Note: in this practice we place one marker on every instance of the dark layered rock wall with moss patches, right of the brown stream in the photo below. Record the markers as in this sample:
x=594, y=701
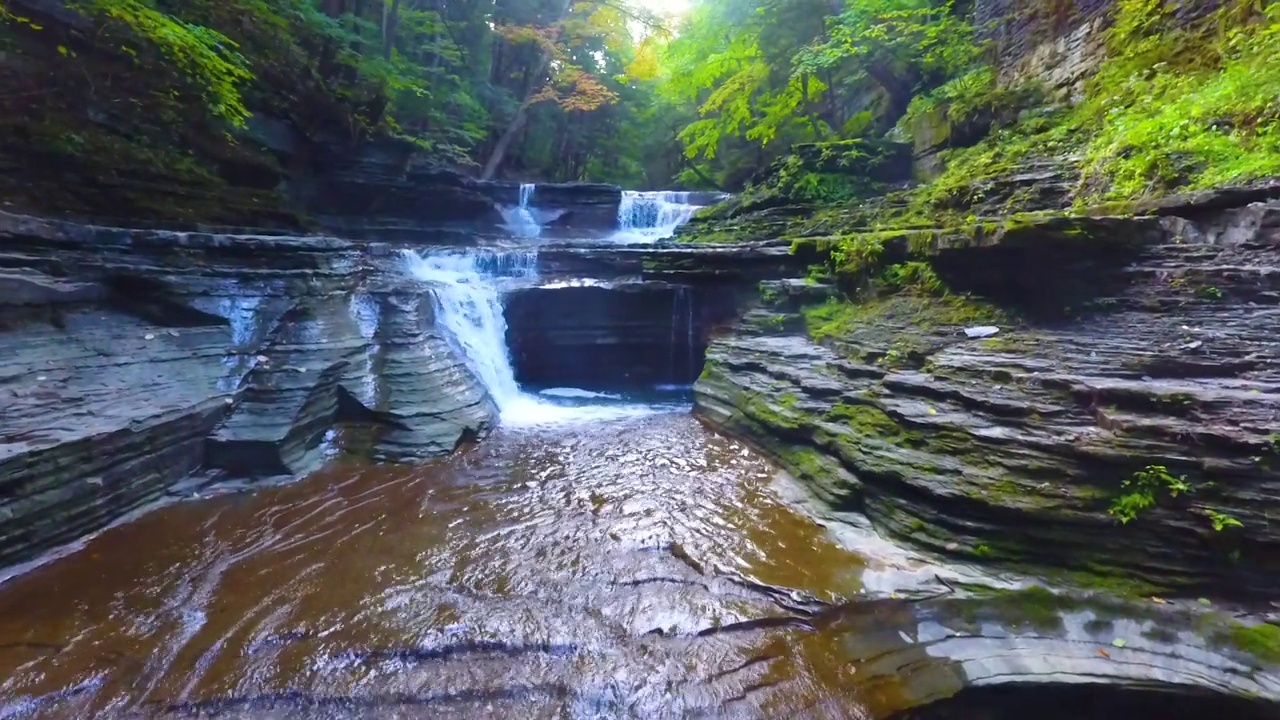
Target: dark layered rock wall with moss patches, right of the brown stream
x=1146, y=347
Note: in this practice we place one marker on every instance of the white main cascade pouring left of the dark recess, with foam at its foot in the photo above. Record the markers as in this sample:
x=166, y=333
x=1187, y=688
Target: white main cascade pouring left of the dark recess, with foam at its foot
x=469, y=289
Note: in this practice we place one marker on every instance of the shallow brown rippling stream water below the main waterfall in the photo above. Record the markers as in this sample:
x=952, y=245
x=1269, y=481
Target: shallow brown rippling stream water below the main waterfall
x=551, y=572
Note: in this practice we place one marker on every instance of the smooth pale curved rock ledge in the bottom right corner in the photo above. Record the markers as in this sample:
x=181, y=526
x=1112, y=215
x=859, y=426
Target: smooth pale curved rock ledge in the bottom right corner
x=1037, y=654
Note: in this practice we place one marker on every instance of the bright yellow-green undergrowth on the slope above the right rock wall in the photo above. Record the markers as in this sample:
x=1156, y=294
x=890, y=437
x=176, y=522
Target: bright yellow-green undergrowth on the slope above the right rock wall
x=1171, y=110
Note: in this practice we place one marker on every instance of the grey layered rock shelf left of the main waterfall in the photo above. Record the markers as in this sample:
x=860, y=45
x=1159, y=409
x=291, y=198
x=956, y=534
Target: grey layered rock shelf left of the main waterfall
x=134, y=359
